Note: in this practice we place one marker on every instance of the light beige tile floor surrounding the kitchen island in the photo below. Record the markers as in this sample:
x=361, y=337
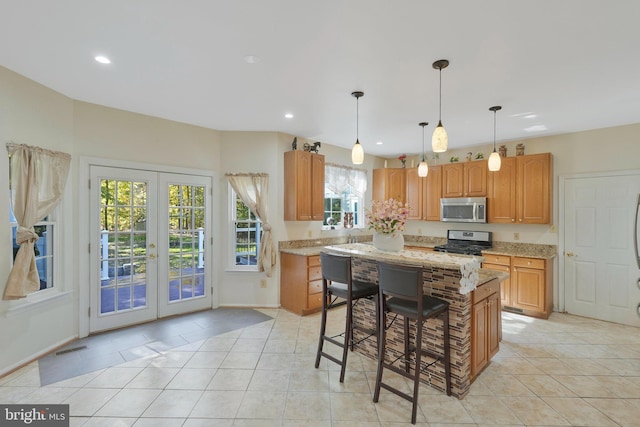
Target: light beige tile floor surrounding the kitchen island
x=558, y=372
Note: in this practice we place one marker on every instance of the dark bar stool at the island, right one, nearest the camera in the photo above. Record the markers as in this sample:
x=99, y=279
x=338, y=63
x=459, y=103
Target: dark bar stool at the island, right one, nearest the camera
x=401, y=293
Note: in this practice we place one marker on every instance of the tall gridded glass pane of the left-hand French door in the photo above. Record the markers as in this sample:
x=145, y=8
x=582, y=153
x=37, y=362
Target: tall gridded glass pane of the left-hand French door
x=123, y=245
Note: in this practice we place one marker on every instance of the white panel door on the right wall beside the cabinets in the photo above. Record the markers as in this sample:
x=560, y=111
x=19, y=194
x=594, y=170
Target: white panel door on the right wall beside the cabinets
x=601, y=274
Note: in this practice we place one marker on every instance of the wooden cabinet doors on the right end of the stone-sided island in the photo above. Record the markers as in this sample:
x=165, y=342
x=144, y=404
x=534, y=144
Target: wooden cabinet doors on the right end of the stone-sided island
x=485, y=325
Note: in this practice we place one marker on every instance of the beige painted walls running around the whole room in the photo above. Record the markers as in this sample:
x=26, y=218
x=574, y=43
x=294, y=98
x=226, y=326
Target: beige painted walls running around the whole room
x=33, y=114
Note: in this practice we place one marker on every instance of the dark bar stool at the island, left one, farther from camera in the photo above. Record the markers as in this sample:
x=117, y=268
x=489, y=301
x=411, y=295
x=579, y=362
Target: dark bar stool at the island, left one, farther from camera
x=338, y=283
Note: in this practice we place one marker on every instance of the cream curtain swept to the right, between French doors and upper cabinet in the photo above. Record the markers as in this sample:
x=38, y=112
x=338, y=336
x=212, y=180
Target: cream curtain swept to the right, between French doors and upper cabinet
x=253, y=189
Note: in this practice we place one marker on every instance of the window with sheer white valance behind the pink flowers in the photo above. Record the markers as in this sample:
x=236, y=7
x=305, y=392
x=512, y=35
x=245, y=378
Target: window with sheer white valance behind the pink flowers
x=343, y=192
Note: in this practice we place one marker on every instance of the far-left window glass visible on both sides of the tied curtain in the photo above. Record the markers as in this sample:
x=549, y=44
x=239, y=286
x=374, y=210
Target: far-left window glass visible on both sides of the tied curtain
x=43, y=248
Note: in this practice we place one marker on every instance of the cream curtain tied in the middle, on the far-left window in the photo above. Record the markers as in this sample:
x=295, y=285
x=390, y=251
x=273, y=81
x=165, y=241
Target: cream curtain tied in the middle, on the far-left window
x=37, y=181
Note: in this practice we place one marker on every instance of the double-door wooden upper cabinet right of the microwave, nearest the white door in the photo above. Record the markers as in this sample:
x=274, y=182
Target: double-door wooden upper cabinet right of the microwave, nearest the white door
x=520, y=192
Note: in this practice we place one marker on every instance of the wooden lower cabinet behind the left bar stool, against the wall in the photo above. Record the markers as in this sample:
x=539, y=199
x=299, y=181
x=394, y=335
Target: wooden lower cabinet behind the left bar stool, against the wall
x=300, y=283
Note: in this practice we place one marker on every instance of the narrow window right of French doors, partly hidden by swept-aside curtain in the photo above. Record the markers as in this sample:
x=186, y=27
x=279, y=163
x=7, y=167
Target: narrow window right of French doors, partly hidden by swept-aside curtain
x=247, y=230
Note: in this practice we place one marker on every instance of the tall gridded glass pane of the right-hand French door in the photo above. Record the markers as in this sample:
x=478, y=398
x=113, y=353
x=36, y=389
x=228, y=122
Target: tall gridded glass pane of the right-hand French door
x=186, y=242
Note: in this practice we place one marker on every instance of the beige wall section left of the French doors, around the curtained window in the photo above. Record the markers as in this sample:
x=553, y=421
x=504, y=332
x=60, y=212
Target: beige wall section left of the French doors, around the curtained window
x=35, y=115
